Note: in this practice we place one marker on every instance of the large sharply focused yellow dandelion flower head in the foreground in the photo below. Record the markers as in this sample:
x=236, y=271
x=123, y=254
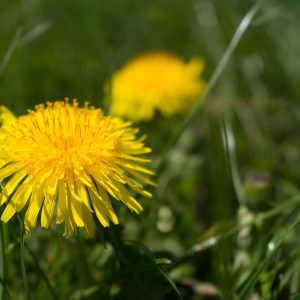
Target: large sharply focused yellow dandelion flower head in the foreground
x=67, y=161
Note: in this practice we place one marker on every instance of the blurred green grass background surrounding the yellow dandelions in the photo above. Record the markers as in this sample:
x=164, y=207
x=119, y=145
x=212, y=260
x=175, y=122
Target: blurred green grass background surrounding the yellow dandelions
x=227, y=190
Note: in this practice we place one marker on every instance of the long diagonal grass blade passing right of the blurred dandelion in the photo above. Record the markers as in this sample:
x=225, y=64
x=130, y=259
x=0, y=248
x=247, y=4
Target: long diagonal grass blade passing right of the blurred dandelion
x=246, y=21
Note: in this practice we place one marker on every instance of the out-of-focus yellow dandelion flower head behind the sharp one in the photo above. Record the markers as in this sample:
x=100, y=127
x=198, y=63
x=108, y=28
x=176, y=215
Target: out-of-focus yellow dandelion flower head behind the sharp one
x=156, y=81
